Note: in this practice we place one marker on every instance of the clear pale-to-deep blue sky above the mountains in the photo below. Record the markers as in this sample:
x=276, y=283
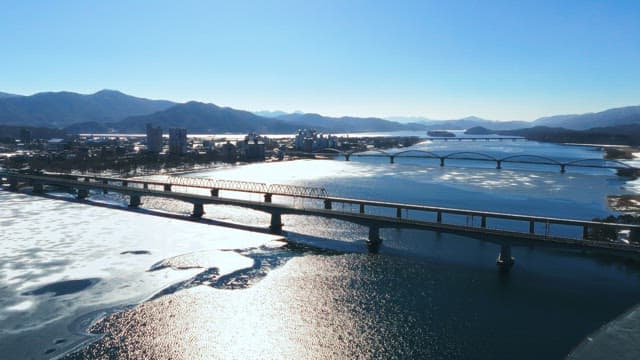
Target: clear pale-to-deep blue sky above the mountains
x=440, y=59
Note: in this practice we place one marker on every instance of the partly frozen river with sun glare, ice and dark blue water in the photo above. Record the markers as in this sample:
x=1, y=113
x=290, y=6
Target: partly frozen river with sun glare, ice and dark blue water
x=211, y=291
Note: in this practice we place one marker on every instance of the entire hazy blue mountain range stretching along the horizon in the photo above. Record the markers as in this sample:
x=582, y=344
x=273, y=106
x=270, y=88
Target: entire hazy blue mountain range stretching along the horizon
x=110, y=110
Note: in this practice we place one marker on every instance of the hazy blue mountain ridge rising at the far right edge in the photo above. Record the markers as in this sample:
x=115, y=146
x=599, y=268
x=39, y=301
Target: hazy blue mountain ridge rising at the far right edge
x=607, y=118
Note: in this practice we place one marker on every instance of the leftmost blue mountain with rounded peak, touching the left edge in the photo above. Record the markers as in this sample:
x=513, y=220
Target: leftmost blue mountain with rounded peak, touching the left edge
x=60, y=109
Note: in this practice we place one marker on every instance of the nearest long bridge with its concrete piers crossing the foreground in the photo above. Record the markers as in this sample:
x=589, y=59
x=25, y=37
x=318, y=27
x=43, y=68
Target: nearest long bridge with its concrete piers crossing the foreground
x=369, y=213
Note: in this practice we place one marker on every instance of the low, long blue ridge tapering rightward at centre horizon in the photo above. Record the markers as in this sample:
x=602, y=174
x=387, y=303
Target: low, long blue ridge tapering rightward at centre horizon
x=345, y=124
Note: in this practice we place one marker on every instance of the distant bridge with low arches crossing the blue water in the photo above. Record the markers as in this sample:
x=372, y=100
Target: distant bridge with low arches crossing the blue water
x=622, y=168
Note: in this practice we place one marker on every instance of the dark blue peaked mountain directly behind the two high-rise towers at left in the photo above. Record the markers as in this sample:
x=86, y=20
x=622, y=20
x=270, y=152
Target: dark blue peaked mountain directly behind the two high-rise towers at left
x=198, y=117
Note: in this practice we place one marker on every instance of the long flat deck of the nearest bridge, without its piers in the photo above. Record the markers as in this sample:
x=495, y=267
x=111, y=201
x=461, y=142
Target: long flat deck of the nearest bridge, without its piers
x=362, y=217
